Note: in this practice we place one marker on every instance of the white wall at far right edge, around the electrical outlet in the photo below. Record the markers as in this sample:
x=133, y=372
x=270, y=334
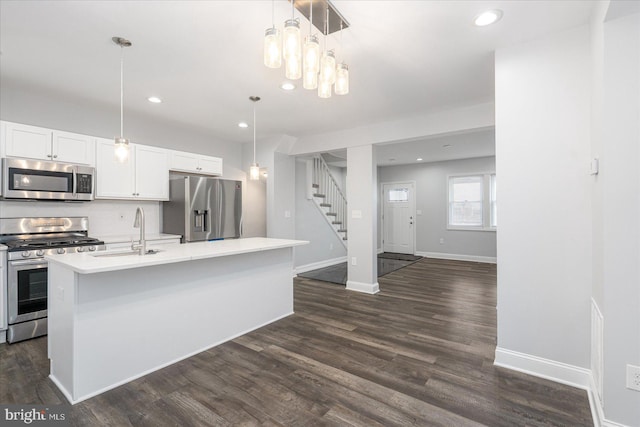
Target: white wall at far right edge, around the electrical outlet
x=621, y=214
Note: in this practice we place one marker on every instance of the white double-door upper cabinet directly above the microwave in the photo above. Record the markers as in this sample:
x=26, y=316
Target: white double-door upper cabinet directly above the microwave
x=33, y=142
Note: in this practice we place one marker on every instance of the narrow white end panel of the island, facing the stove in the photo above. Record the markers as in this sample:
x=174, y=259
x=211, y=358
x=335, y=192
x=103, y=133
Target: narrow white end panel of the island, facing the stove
x=60, y=312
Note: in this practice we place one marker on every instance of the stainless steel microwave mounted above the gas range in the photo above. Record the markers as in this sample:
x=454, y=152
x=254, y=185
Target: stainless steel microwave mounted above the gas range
x=41, y=180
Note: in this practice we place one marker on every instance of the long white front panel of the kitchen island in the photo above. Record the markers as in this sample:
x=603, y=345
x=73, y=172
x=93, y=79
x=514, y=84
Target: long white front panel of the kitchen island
x=129, y=323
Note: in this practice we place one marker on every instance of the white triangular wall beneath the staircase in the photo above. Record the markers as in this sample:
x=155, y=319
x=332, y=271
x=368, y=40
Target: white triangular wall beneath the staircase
x=312, y=226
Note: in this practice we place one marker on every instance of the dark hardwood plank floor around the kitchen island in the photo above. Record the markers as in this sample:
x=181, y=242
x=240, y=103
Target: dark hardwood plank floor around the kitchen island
x=418, y=353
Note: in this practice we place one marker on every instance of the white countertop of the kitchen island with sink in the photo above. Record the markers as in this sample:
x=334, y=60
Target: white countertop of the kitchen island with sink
x=88, y=263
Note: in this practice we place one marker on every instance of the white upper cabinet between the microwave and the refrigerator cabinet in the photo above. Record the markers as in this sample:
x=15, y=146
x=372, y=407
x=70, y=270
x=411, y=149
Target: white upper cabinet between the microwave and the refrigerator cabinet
x=144, y=176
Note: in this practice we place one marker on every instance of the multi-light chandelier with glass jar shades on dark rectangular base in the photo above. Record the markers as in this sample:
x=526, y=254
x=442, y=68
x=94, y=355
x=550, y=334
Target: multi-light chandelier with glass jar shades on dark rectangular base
x=318, y=68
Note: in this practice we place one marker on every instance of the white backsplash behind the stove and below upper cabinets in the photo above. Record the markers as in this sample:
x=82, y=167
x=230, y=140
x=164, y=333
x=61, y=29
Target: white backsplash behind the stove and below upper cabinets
x=106, y=217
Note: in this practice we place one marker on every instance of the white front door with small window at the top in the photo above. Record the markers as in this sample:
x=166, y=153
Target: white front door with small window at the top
x=398, y=217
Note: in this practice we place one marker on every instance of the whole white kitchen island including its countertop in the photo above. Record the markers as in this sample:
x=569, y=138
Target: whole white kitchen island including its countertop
x=114, y=317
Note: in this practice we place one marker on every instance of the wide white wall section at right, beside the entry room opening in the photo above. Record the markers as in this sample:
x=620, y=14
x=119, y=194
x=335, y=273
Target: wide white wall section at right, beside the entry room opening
x=542, y=159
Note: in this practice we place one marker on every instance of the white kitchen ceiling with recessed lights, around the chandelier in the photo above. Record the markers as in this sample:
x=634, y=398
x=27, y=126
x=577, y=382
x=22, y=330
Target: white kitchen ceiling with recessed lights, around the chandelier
x=204, y=58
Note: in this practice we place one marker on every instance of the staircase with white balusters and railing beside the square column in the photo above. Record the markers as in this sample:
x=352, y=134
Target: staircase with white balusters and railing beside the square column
x=328, y=197
